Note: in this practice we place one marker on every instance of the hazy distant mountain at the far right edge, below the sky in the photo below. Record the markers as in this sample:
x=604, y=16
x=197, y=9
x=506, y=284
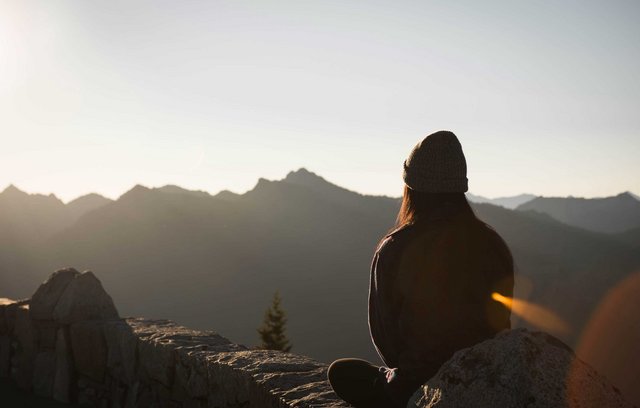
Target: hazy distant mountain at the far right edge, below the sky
x=609, y=214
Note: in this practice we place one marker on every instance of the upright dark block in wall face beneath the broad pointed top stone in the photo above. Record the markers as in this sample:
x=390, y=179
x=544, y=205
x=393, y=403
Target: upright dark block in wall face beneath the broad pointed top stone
x=89, y=348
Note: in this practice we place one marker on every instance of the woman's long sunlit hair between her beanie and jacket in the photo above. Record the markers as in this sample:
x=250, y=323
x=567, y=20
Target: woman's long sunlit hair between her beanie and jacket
x=419, y=206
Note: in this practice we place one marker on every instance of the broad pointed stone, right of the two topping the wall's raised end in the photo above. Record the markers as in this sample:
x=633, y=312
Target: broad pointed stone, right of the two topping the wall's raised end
x=84, y=298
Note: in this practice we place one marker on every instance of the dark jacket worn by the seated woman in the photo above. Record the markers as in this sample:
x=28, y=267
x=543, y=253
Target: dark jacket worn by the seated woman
x=430, y=295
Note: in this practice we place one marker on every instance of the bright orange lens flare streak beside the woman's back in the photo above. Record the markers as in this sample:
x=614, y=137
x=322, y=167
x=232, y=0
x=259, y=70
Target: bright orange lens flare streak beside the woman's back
x=535, y=315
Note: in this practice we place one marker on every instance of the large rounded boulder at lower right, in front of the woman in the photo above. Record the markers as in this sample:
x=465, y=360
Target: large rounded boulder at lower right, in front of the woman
x=517, y=368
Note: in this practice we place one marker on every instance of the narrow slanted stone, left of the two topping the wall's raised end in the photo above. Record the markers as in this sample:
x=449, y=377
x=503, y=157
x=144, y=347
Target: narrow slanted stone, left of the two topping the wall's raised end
x=49, y=292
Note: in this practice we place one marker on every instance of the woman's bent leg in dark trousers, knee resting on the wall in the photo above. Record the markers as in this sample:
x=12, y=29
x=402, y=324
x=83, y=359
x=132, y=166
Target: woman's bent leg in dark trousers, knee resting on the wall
x=358, y=382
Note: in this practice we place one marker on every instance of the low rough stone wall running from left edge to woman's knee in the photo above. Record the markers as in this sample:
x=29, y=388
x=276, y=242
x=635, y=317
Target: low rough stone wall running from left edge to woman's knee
x=68, y=343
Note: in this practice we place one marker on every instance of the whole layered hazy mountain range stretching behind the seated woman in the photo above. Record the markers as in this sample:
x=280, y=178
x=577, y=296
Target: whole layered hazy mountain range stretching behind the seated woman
x=214, y=261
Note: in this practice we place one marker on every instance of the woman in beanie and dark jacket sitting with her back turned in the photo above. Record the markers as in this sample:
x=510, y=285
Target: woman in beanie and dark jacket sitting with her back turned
x=432, y=278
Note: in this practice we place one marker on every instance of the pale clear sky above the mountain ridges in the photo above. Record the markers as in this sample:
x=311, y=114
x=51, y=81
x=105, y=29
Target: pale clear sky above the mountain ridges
x=96, y=96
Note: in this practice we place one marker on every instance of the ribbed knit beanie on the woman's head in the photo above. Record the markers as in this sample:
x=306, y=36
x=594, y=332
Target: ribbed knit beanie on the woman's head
x=437, y=165
